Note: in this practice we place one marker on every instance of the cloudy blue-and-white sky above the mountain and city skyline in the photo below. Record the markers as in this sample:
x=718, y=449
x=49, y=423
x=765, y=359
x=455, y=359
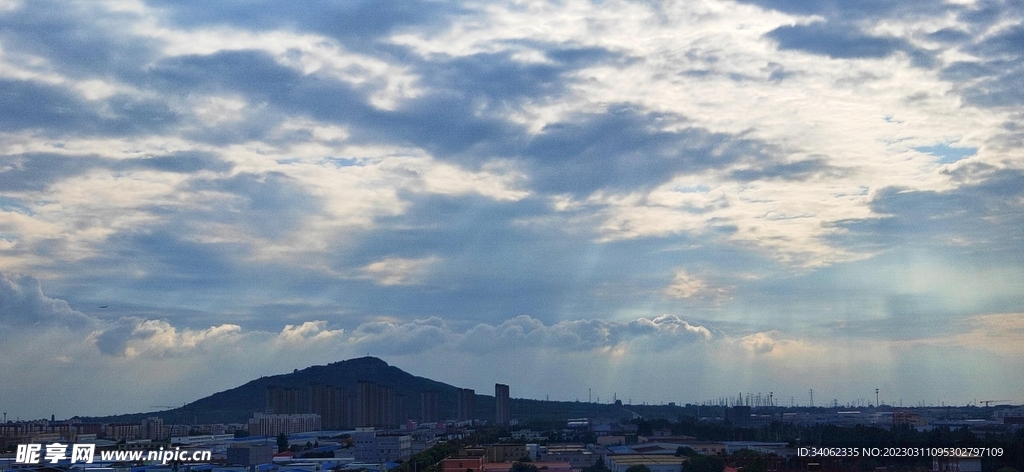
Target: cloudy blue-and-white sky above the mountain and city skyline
x=654, y=201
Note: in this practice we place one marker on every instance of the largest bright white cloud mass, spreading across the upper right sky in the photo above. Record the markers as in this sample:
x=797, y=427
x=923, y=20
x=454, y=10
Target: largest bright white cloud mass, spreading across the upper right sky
x=862, y=117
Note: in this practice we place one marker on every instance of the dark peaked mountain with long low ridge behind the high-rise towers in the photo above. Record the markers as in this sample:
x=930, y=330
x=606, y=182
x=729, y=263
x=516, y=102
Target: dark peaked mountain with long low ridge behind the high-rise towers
x=239, y=404
